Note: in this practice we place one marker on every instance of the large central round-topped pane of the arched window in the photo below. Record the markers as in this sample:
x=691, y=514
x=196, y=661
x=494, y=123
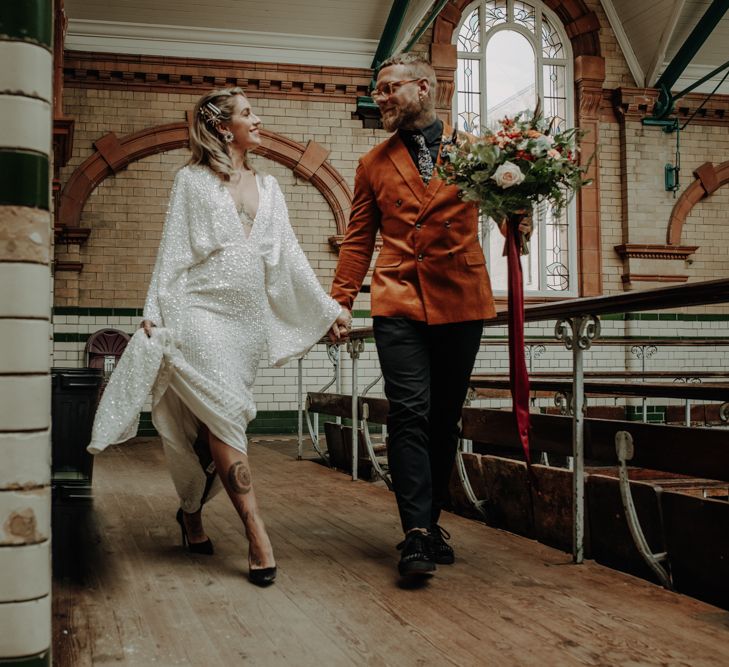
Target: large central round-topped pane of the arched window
x=510, y=80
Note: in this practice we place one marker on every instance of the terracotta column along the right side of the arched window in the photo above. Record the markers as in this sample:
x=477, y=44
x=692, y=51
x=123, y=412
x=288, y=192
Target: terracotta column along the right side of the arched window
x=589, y=77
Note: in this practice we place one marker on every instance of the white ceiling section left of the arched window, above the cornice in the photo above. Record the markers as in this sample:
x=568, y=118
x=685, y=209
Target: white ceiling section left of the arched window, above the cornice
x=343, y=33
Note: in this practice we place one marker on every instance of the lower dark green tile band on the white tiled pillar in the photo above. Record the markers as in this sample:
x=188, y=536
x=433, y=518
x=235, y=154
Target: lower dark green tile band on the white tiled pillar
x=25, y=179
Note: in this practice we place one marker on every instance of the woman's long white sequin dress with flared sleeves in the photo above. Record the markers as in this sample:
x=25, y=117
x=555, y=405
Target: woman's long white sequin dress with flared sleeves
x=223, y=295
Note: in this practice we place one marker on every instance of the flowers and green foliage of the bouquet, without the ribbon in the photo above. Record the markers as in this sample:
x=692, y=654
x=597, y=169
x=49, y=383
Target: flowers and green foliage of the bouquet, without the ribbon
x=521, y=164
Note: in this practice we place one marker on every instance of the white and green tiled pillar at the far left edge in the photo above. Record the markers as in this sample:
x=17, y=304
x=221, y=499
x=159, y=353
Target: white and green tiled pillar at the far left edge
x=25, y=388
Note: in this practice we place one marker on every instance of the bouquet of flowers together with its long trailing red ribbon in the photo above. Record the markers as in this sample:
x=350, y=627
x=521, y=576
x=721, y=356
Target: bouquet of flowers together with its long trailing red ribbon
x=507, y=172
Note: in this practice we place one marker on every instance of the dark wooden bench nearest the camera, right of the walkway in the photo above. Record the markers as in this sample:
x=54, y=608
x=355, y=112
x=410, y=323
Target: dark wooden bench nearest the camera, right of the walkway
x=669, y=467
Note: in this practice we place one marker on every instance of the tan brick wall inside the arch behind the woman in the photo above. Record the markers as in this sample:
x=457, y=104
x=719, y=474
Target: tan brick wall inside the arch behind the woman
x=126, y=213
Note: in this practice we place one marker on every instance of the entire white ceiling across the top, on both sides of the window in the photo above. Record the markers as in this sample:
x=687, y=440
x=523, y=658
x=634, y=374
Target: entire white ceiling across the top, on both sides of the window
x=345, y=33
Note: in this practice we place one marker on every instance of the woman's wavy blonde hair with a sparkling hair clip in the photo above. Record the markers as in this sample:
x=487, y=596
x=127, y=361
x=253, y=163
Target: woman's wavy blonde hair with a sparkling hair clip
x=206, y=143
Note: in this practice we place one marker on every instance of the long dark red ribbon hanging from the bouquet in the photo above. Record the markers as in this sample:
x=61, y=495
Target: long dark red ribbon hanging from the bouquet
x=517, y=362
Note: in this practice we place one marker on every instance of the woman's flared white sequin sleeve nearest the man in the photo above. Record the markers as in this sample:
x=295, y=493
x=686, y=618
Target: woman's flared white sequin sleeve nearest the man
x=299, y=311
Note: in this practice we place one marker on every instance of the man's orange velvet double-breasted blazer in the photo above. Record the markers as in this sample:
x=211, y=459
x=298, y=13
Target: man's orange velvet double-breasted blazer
x=431, y=267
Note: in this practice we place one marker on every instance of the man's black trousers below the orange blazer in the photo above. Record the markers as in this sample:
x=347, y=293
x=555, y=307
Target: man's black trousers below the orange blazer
x=426, y=370
